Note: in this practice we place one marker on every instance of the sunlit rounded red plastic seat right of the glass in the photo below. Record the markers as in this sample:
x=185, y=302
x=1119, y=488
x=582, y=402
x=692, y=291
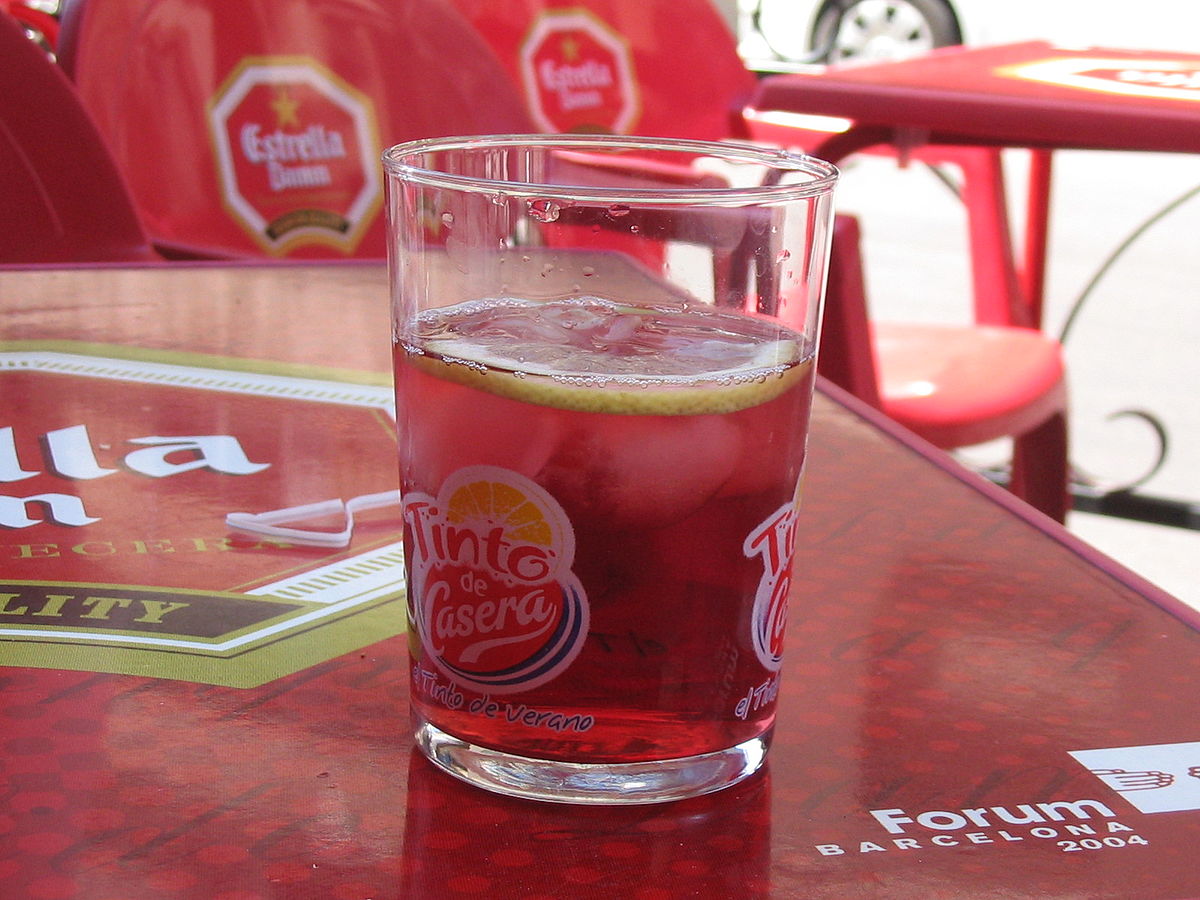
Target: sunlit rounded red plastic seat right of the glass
x=958, y=387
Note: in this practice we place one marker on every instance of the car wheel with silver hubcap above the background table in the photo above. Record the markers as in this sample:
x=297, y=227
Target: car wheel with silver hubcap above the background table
x=861, y=31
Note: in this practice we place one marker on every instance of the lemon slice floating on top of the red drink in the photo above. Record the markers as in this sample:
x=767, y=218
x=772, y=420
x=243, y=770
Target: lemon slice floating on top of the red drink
x=593, y=356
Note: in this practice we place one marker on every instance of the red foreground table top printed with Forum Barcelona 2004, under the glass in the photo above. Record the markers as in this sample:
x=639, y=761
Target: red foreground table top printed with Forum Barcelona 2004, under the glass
x=975, y=705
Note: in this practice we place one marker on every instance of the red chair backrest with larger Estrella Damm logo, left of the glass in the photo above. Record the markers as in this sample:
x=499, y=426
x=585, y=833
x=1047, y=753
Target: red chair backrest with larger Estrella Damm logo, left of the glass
x=255, y=128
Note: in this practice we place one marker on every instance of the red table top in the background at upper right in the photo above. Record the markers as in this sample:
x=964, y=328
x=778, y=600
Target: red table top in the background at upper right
x=1031, y=94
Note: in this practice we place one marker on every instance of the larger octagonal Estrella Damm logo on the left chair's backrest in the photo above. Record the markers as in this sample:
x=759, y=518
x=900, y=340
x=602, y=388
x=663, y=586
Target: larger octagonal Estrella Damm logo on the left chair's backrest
x=297, y=154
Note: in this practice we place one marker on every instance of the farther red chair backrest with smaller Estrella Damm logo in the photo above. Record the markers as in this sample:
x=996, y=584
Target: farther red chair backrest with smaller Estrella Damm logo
x=622, y=67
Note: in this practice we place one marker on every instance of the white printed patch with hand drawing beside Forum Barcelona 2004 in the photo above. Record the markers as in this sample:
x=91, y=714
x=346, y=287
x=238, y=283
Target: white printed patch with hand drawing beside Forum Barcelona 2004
x=1157, y=778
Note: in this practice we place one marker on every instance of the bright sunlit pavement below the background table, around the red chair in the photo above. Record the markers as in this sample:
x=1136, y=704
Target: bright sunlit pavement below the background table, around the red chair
x=1136, y=340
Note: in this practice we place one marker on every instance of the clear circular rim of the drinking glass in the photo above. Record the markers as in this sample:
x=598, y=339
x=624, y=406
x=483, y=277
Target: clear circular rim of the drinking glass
x=403, y=161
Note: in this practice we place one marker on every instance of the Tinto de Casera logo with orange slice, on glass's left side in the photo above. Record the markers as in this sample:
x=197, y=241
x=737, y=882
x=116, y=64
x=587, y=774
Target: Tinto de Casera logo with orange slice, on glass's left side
x=493, y=595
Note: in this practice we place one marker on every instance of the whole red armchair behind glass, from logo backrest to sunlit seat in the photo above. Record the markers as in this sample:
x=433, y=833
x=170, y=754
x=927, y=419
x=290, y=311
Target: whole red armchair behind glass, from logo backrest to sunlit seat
x=673, y=70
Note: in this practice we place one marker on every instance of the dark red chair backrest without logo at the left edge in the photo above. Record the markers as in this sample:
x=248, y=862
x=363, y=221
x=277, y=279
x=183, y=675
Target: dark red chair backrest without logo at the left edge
x=62, y=197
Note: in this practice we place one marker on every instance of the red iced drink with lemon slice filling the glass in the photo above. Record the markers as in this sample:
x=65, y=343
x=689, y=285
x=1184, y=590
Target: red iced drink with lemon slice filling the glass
x=604, y=578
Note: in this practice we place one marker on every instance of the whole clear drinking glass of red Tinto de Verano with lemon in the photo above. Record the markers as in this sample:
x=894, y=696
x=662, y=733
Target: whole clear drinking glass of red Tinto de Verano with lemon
x=604, y=361
